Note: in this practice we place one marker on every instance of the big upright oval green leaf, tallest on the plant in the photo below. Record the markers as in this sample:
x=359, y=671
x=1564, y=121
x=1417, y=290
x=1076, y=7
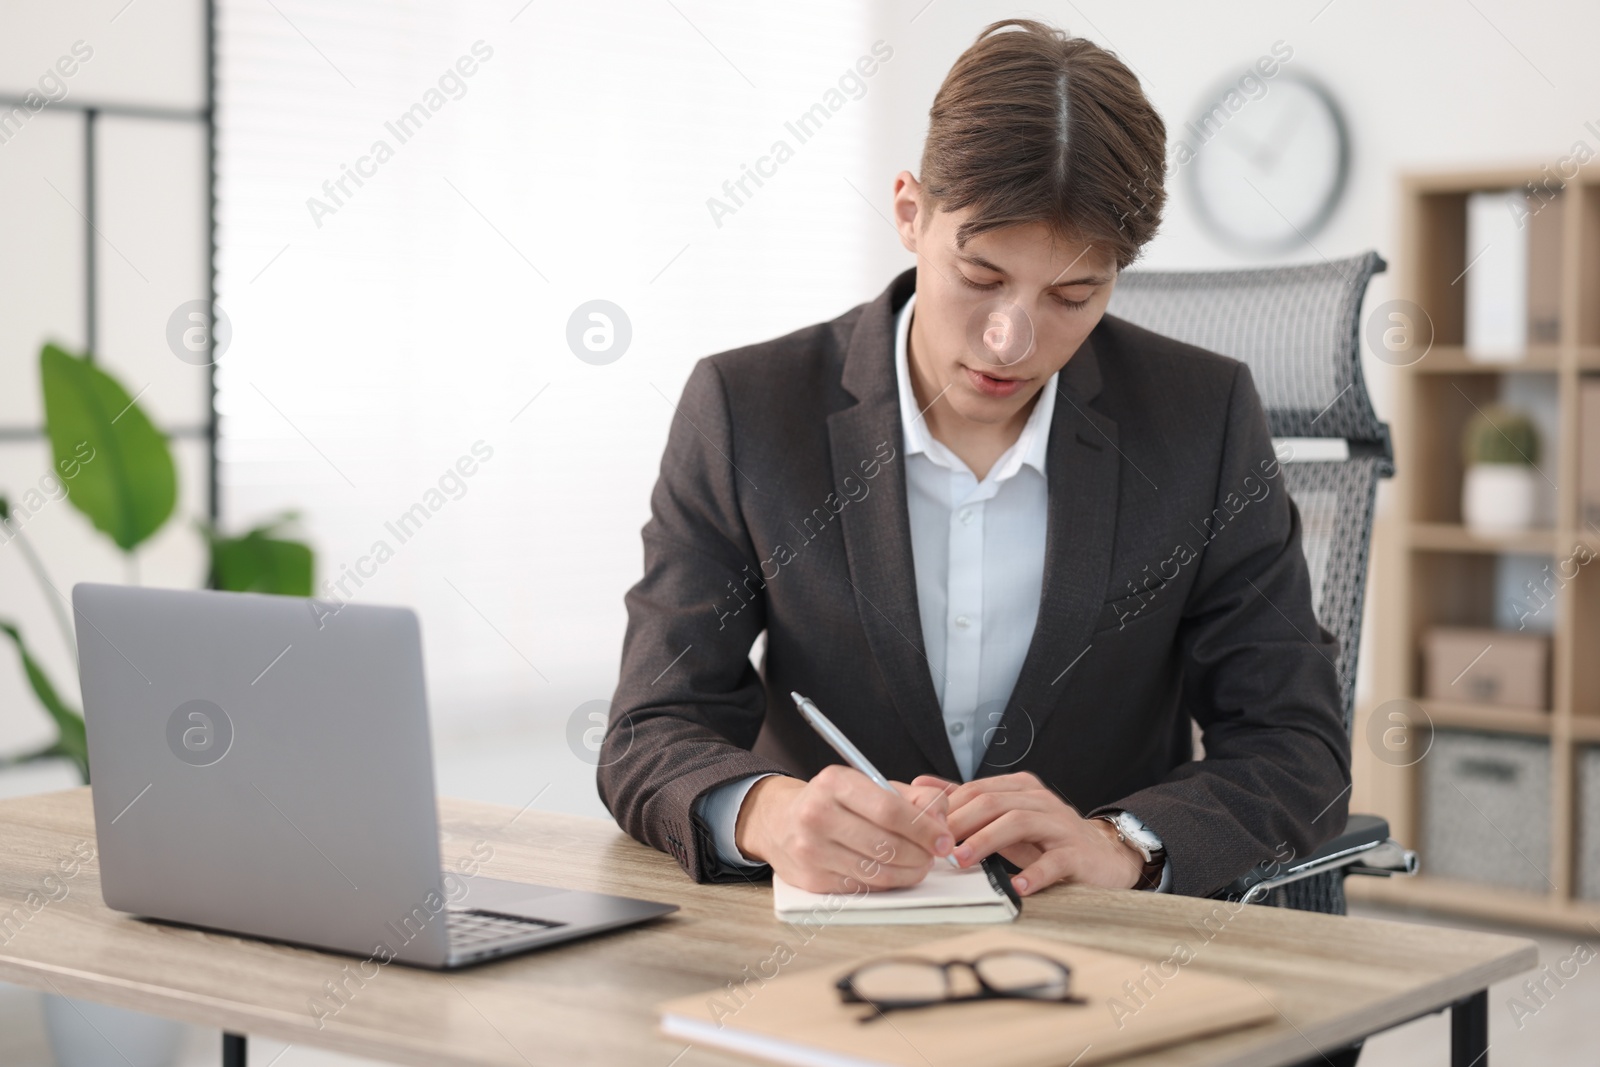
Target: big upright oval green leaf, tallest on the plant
x=114, y=463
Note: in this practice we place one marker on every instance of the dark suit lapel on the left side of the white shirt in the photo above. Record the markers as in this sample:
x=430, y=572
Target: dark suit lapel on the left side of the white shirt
x=878, y=529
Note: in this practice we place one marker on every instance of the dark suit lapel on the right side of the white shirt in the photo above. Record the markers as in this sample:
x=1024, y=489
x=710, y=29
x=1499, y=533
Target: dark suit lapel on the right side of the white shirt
x=1084, y=463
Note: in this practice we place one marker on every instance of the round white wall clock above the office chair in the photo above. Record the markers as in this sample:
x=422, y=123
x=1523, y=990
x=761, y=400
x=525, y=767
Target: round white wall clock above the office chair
x=1268, y=170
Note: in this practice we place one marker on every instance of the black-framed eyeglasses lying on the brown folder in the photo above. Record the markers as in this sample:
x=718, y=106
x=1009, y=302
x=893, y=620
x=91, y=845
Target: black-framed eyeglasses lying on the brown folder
x=903, y=983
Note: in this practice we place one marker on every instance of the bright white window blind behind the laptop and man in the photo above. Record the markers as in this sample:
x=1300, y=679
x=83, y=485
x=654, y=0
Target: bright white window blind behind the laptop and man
x=415, y=201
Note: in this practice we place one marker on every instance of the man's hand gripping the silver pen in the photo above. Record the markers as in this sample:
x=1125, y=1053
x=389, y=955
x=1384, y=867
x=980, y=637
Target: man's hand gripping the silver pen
x=842, y=834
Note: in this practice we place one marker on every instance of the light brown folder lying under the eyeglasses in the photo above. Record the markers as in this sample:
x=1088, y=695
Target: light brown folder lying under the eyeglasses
x=1132, y=1005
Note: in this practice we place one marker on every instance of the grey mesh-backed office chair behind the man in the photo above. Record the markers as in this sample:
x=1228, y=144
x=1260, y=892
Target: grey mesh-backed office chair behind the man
x=1298, y=330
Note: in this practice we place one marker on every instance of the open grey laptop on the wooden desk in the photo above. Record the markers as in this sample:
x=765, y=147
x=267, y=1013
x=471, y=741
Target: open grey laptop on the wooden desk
x=262, y=765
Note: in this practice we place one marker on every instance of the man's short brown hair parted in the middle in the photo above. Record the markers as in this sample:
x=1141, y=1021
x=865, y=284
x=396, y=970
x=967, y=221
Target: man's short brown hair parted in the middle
x=1042, y=127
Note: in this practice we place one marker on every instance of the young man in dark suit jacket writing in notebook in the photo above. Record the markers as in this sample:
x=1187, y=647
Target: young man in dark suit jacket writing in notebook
x=1010, y=545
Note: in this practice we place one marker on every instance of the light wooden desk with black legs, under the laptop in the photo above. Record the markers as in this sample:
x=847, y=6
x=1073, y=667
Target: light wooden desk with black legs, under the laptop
x=593, y=1002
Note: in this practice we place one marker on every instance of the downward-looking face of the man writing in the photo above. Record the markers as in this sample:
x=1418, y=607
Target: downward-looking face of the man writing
x=1002, y=314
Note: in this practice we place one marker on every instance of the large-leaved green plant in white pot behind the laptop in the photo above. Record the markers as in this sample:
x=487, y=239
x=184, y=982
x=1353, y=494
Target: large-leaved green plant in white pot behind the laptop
x=116, y=468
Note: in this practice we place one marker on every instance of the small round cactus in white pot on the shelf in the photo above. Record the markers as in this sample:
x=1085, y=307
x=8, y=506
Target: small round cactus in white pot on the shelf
x=1500, y=492
